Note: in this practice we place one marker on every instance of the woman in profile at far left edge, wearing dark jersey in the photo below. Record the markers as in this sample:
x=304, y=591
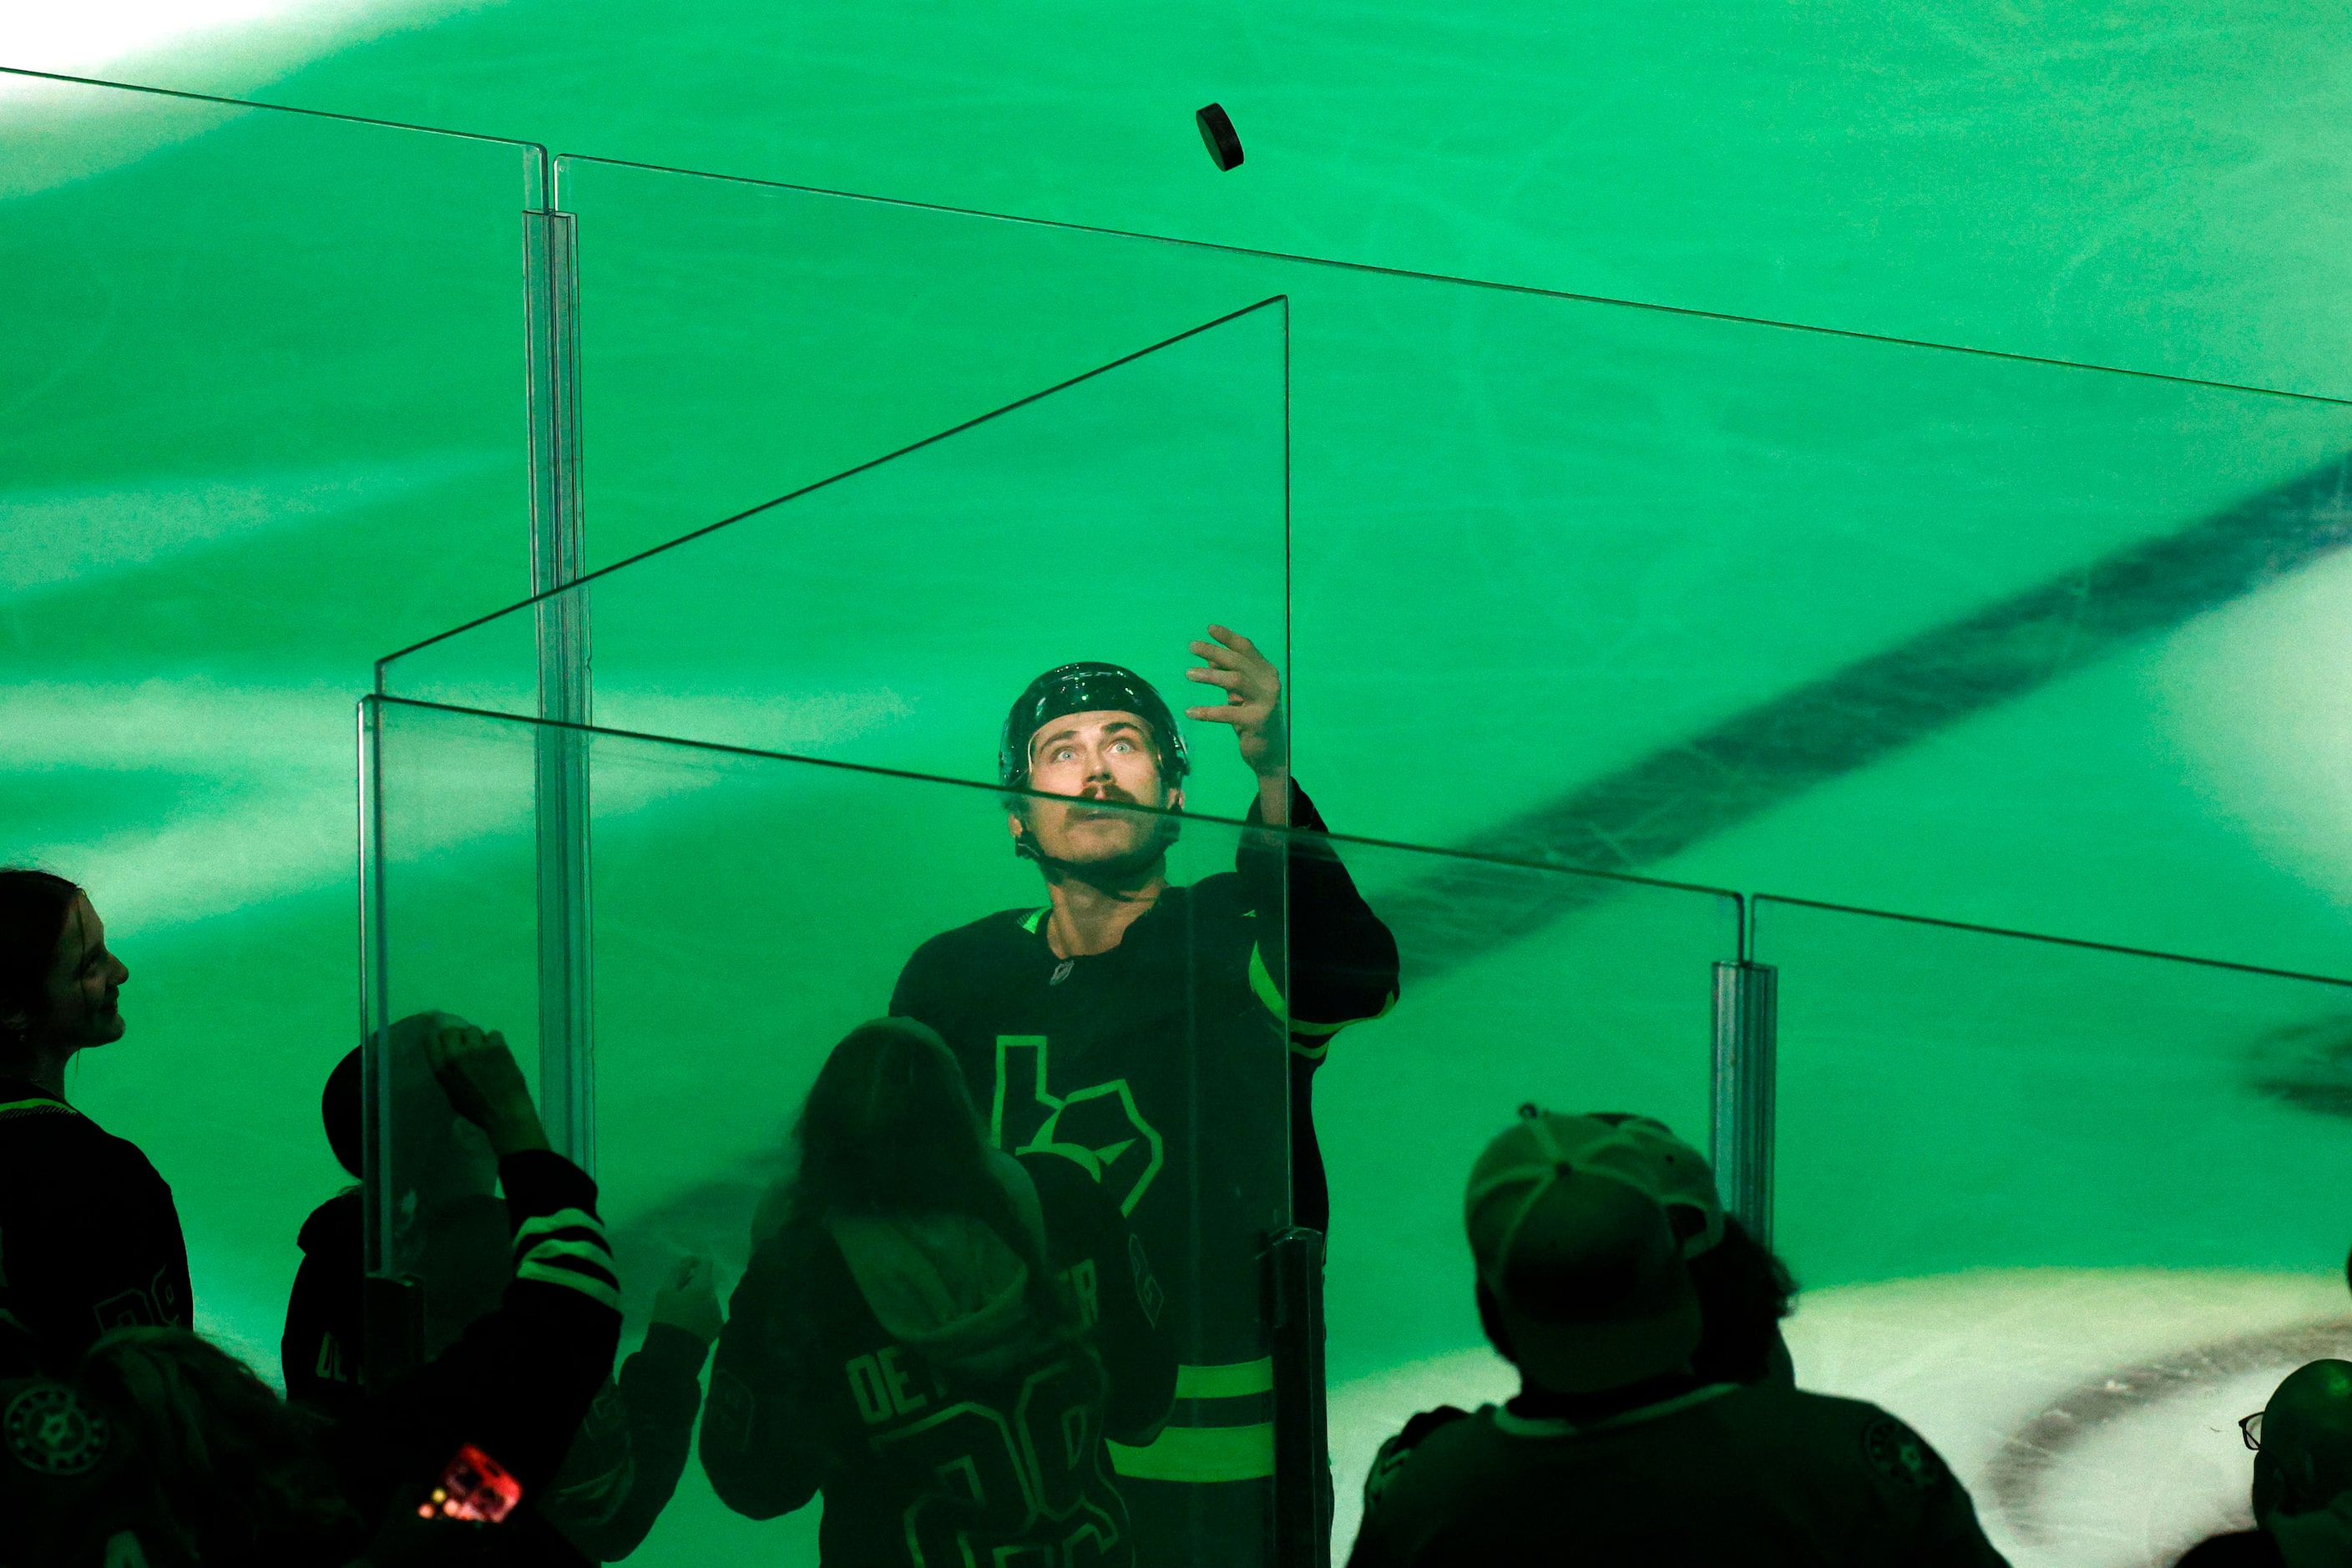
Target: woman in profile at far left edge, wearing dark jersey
x=88, y=1231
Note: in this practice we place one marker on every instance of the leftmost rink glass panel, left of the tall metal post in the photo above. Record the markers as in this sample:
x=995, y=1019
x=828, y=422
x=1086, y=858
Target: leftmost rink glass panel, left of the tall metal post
x=265, y=420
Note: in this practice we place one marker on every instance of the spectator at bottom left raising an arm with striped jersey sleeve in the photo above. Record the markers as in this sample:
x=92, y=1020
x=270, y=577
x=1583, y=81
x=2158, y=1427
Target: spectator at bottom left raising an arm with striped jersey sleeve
x=178, y=1447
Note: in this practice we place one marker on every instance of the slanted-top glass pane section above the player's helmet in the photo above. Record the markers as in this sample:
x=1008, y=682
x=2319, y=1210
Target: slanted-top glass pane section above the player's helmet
x=893, y=612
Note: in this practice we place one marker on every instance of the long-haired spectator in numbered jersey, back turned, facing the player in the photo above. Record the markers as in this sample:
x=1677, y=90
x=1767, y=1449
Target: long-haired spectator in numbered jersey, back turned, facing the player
x=935, y=1334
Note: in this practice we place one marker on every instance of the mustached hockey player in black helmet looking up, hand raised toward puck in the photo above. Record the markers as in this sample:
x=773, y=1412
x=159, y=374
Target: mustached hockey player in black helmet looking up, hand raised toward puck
x=1156, y=1036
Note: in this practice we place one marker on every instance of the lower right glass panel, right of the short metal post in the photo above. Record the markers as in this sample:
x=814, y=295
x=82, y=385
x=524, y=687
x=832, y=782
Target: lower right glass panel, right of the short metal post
x=2069, y=1209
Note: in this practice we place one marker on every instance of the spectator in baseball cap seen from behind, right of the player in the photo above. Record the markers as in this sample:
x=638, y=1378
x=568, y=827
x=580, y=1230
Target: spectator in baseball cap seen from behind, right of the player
x=1615, y=1445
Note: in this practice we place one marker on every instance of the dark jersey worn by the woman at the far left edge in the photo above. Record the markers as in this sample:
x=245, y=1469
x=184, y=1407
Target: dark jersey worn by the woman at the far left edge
x=88, y=1231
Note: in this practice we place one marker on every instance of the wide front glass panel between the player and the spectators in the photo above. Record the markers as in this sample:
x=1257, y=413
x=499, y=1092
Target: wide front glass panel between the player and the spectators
x=749, y=911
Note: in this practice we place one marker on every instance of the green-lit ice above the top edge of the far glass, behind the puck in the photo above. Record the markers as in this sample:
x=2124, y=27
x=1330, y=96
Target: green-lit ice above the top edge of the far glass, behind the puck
x=2141, y=187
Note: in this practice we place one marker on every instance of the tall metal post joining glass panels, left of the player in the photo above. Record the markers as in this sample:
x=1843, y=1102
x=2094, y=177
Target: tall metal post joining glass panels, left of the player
x=559, y=558
